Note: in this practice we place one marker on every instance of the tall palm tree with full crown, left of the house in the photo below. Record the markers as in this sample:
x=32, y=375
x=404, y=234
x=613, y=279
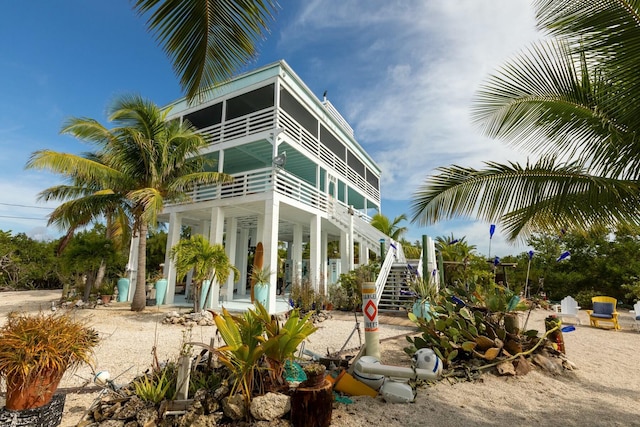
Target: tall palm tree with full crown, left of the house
x=142, y=163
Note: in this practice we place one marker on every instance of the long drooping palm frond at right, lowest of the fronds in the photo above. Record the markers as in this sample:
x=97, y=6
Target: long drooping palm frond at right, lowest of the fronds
x=541, y=196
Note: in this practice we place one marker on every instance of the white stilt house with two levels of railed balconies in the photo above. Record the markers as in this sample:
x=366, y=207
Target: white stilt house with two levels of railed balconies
x=300, y=177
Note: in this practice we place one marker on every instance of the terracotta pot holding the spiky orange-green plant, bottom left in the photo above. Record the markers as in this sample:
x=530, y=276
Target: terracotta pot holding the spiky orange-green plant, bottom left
x=33, y=395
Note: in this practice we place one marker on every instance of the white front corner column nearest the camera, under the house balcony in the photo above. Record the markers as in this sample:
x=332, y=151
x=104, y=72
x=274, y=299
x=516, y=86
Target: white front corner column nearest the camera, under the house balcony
x=270, y=244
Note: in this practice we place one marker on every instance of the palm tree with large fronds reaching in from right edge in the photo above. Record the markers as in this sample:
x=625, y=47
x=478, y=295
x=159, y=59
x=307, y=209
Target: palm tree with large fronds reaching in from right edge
x=572, y=101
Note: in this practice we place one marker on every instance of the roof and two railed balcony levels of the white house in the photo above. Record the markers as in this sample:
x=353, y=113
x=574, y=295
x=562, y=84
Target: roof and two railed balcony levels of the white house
x=242, y=118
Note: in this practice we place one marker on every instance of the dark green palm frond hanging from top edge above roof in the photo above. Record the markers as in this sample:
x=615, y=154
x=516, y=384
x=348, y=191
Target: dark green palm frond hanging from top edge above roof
x=207, y=40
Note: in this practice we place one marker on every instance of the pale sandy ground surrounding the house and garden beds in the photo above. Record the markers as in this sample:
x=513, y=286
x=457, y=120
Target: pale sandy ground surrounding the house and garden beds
x=603, y=391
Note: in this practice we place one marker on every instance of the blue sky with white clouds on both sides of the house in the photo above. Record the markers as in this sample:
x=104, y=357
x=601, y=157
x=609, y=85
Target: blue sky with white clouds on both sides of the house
x=403, y=74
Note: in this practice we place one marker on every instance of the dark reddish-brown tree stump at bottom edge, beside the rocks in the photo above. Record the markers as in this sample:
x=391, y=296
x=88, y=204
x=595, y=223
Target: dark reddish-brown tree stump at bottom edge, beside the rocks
x=311, y=406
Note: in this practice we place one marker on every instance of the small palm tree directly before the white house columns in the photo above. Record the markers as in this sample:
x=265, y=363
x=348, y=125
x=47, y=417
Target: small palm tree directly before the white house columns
x=208, y=261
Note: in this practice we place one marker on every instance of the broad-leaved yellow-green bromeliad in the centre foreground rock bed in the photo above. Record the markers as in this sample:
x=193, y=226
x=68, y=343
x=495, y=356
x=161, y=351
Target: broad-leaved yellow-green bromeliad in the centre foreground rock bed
x=257, y=343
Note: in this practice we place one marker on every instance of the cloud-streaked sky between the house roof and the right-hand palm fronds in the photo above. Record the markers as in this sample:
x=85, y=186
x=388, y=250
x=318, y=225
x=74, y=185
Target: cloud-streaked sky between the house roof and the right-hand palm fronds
x=404, y=75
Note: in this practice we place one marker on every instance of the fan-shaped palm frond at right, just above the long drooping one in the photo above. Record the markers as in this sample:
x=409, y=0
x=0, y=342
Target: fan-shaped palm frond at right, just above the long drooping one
x=553, y=102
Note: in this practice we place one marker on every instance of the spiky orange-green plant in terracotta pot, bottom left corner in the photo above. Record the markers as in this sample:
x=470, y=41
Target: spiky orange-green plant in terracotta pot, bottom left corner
x=36, y=350
